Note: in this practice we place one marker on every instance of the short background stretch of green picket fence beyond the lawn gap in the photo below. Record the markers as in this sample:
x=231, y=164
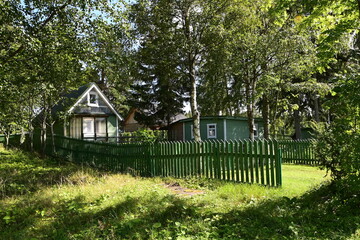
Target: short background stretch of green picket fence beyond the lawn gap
x=298, y=152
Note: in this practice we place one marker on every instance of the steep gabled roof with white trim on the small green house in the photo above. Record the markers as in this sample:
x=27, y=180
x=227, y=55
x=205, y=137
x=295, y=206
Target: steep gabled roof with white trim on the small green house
x=73, y=99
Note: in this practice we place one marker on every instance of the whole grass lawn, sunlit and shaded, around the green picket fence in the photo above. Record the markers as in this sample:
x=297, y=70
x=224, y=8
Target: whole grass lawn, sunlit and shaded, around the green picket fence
x=48, y=199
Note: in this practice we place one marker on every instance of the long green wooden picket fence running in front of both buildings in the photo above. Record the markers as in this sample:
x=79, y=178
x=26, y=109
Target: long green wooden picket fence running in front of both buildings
x=239, y=161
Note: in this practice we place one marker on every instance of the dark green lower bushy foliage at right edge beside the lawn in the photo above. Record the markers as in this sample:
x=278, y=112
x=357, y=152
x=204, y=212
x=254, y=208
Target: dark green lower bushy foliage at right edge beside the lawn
x=339, y=140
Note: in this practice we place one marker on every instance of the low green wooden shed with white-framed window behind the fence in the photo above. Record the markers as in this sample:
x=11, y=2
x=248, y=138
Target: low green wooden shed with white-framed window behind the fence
x=216, y=127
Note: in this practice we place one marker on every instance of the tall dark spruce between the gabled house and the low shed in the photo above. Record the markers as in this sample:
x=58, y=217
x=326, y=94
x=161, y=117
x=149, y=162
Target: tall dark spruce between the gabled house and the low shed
x=158, y=92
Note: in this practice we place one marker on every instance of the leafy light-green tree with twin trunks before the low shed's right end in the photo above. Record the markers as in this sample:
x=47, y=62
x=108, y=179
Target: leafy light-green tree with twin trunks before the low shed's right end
x=260, y=46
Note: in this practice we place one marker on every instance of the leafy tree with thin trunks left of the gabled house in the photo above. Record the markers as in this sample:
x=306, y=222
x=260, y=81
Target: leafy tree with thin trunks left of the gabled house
x=47, y=51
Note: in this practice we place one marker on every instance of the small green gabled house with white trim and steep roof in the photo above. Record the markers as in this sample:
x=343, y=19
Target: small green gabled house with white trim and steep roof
x=89, y=115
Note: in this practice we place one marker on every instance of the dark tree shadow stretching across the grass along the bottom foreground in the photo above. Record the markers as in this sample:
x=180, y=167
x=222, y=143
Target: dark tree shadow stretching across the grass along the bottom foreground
x=326, y=213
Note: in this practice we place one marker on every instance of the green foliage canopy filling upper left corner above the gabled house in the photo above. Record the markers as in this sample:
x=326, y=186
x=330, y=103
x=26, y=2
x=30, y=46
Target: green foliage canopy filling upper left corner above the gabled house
x=49, y=49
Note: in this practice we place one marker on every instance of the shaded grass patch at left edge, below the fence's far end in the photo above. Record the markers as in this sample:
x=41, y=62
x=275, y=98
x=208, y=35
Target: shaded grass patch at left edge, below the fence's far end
x=23, y=173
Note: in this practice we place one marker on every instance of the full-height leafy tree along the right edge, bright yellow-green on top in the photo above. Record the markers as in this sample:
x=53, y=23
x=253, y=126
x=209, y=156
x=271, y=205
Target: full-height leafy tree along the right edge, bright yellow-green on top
x=337, y=24
